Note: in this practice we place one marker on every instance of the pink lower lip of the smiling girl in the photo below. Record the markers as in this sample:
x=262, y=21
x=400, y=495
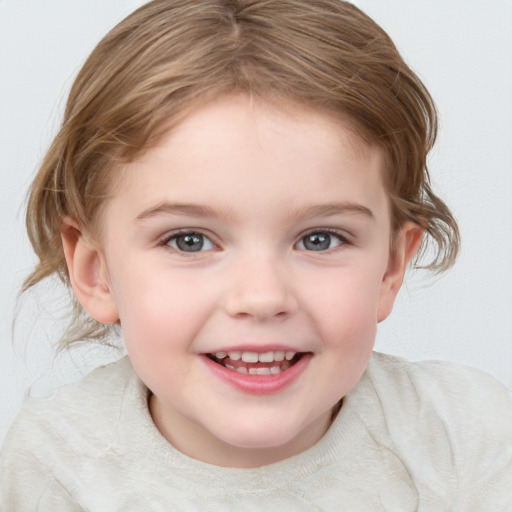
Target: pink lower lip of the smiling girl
x=259, y=384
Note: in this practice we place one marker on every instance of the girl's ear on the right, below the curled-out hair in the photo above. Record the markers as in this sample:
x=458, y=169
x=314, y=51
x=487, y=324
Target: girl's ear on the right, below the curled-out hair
x=406, y=245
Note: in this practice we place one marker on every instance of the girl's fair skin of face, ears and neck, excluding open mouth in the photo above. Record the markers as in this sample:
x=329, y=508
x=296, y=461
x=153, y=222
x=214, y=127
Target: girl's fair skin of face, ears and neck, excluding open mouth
x=253, y=180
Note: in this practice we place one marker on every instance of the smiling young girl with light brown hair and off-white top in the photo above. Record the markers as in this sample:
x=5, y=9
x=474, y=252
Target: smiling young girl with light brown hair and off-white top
x=238, y=188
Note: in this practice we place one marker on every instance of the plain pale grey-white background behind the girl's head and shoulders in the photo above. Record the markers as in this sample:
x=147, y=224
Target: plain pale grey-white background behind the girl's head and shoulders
x=462, y=49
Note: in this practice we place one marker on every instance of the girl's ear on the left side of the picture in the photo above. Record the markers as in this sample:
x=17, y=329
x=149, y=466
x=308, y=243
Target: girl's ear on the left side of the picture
x=88, y=274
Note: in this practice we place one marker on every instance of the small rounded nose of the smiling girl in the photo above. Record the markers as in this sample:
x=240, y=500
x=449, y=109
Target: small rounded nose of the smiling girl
x=260, y=288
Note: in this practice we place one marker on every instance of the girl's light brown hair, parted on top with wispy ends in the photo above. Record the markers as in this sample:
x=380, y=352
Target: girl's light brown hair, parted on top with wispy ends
x=170, y=56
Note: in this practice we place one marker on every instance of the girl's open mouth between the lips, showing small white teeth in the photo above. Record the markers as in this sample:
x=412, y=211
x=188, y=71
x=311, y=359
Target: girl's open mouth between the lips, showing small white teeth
x=257, y=363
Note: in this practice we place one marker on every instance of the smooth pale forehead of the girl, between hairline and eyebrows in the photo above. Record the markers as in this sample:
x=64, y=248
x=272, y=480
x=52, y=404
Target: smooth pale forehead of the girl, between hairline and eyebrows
x=241, y=147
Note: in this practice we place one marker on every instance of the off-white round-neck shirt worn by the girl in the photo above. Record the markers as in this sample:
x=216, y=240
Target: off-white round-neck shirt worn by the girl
x=427, y=436
